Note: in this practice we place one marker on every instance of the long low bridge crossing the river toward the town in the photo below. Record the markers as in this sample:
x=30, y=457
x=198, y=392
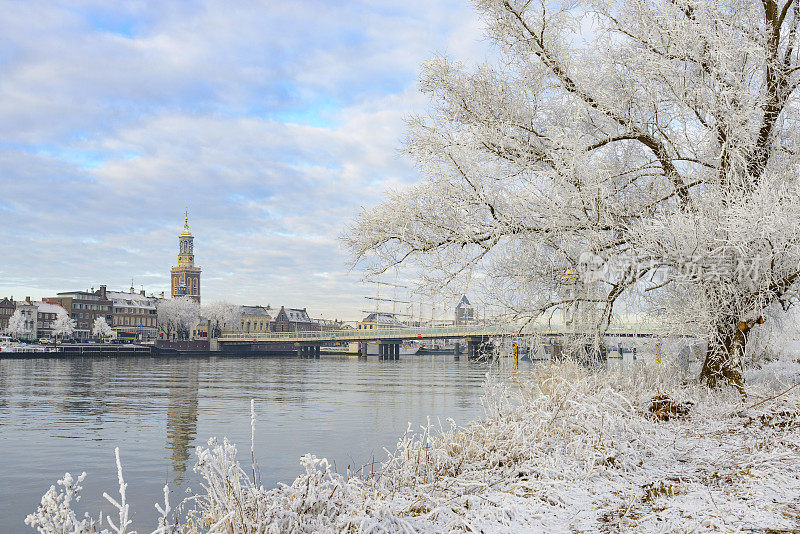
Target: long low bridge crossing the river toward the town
x=308, y=343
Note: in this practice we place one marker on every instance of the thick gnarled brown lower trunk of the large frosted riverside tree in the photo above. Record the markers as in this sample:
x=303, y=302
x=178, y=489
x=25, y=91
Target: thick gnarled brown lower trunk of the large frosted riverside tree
x=723, y=364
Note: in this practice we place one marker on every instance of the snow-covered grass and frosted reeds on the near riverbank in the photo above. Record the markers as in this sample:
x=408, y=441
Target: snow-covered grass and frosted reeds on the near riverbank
x=562, y=448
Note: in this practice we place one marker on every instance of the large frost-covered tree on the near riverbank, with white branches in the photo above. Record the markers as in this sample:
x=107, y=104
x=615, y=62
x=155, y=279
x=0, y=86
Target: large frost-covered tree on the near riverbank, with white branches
x=658, y=136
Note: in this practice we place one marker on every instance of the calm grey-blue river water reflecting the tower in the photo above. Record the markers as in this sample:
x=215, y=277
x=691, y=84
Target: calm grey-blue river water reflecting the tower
x=59, y=415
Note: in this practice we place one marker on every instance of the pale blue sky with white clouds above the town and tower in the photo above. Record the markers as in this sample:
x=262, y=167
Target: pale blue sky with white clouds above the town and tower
x=275, y=121
